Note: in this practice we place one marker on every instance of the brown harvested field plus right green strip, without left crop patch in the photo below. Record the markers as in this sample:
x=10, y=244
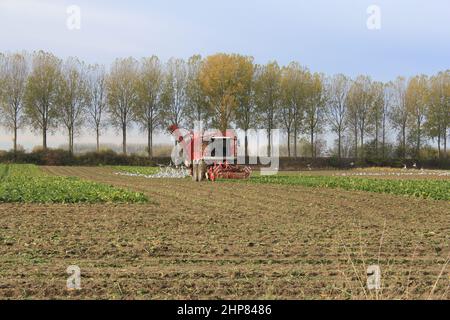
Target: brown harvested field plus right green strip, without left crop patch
x=296, y=236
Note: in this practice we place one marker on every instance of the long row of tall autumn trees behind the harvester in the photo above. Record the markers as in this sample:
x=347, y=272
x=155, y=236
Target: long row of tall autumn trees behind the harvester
x=43, y=92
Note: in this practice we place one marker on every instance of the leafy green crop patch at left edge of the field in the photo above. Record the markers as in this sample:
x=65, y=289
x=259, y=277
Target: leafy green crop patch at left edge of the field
x=28, y=184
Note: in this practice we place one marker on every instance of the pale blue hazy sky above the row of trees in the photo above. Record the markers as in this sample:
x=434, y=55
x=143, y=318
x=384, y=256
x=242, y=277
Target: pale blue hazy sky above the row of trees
x=329, y=36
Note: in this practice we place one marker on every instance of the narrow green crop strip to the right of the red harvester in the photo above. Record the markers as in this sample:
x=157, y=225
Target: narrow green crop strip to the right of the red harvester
x=428, y=189
